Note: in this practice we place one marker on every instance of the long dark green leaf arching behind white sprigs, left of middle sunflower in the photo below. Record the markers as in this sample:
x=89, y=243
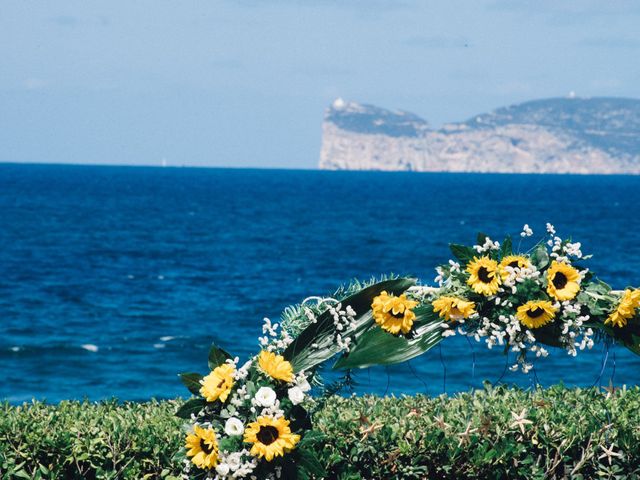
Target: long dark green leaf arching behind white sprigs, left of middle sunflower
x=321, y=333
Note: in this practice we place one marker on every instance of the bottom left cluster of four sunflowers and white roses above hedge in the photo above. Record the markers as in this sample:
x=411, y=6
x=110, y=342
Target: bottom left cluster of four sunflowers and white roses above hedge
x=247, y=418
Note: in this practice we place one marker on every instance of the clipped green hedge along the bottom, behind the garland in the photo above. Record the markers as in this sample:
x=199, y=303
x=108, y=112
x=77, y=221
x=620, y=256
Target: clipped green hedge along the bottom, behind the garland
x=366, y=437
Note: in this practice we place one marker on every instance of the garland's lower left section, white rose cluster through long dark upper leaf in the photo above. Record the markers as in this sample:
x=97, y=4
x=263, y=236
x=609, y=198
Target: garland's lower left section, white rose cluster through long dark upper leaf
x=252, y=420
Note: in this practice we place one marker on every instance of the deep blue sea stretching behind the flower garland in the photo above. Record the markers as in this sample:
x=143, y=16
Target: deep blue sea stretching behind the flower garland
x=114, y=279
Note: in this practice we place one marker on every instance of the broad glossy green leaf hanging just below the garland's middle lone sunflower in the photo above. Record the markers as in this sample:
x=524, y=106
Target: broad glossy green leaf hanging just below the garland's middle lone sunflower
x=378, y=347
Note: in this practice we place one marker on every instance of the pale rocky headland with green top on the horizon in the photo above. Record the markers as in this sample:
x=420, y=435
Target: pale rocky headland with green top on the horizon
x=564, y=135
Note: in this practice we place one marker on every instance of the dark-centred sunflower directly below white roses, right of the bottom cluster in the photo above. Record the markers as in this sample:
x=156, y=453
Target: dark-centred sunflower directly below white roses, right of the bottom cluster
x=271, y=437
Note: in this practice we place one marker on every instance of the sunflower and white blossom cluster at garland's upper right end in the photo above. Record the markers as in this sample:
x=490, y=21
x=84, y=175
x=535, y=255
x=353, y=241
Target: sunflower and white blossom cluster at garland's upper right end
x=526, y=301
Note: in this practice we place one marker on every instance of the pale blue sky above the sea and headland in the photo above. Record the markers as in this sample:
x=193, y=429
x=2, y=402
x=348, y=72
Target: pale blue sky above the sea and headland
x=244, y=83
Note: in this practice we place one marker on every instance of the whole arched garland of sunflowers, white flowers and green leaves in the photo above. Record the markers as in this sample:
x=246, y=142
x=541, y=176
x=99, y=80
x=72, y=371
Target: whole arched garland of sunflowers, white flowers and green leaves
x=254, y=421
